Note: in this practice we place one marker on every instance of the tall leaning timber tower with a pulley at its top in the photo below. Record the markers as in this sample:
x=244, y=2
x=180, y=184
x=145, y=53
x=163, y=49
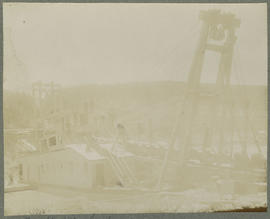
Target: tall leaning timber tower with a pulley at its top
x=218, y=35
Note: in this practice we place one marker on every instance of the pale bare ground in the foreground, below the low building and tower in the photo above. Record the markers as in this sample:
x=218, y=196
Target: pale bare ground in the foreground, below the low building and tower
x=55, y=201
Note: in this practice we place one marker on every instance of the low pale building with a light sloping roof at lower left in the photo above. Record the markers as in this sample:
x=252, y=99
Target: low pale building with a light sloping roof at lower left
x=73, y=166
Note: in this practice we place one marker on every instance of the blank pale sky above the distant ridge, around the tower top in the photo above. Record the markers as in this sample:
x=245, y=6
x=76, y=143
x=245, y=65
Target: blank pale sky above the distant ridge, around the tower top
x=82, y=43
